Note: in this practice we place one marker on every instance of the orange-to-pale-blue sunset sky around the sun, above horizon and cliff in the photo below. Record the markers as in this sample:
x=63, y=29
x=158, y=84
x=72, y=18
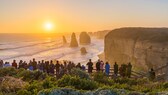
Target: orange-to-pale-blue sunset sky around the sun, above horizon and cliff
x=31, y=16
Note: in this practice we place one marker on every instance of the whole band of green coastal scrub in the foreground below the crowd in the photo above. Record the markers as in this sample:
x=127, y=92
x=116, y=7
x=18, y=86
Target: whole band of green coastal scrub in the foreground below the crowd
x=24, y=82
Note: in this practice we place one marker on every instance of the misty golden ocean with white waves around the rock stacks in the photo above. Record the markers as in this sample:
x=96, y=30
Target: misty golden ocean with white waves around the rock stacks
x=46, y=47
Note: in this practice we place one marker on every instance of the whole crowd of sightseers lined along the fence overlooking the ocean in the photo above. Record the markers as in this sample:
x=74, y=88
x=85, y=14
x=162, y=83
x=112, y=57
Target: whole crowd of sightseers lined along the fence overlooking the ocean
x=61, y=68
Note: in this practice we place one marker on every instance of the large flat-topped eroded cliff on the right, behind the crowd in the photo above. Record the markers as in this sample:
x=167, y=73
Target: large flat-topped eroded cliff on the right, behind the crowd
x=143, y=47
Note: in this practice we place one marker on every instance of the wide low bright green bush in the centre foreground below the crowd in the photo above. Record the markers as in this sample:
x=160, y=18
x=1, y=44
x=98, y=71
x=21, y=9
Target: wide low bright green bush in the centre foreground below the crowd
x=77, y=83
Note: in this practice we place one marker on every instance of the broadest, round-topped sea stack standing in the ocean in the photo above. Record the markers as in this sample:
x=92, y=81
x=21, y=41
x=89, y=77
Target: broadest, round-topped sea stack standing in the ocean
x=84, y=38
